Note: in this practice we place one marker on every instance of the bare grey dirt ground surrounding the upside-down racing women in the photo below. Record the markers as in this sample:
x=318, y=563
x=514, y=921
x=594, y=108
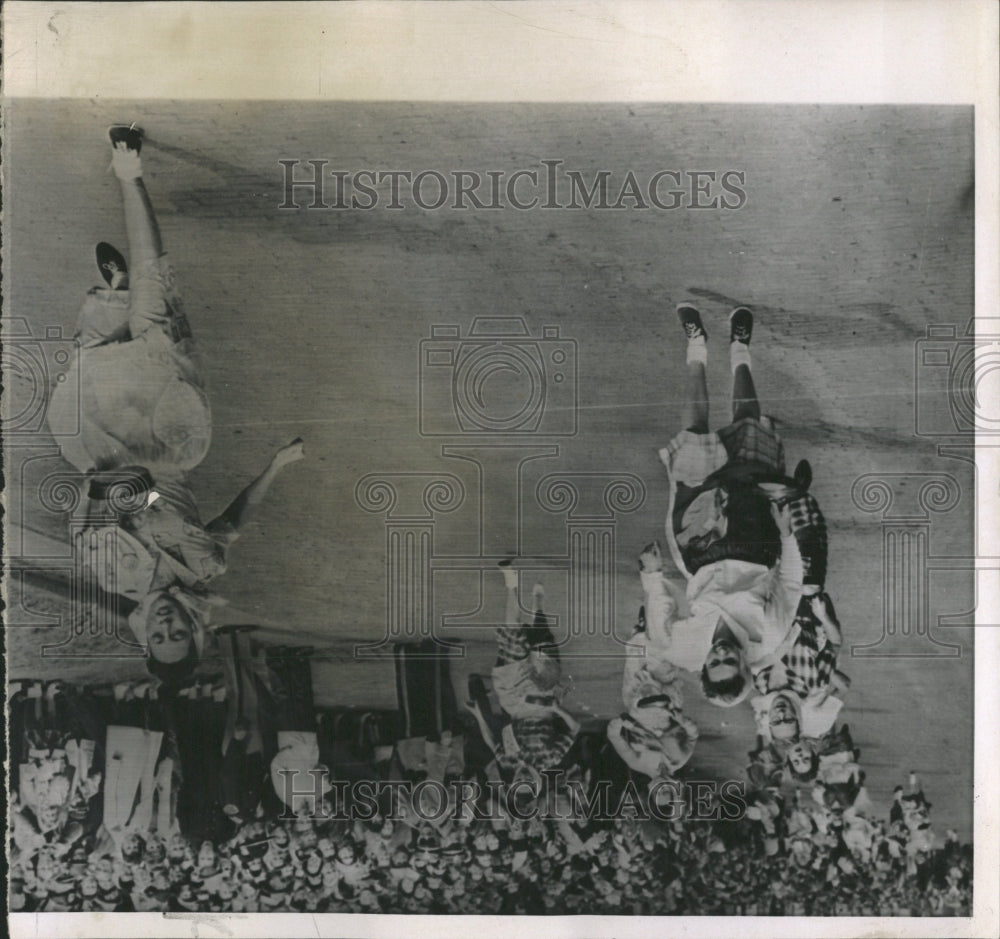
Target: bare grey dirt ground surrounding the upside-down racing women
x=857, y=233
